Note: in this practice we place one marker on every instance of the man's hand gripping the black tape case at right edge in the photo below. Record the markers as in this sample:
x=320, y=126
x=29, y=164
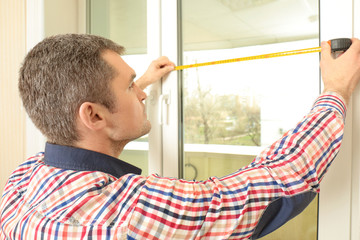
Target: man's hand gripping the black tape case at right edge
x=341, y=75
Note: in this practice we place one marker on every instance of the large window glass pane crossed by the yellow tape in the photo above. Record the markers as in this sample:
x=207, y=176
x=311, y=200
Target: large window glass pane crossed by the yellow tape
x=232, y=111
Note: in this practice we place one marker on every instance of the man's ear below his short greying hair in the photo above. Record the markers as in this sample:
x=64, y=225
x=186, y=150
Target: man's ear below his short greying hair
x=92, y=115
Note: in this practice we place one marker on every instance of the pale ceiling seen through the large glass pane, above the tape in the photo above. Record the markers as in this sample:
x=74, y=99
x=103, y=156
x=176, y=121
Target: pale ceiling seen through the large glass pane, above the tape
x=235, y=23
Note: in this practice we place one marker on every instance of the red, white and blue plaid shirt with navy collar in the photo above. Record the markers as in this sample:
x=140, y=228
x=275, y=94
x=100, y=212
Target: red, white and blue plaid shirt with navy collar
x=70, y=193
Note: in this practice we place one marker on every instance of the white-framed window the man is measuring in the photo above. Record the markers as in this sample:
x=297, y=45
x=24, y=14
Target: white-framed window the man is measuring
x=203, y=30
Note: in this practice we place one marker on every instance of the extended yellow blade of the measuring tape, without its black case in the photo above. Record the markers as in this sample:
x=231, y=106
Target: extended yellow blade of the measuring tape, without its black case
x=263, y=56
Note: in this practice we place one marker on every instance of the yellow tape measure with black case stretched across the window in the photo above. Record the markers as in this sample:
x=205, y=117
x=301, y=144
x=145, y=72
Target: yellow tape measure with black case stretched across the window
x=339, y=44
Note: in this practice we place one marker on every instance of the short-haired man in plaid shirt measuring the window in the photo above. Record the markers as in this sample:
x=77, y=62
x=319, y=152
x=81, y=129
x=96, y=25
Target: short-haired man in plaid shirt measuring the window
x=81, y=94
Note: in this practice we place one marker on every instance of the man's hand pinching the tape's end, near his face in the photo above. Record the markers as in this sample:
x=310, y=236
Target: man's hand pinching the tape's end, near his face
x=157, y=69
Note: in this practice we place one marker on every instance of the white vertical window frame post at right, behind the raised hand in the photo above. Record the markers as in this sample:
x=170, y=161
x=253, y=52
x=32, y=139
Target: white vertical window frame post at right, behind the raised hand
x=335, y=196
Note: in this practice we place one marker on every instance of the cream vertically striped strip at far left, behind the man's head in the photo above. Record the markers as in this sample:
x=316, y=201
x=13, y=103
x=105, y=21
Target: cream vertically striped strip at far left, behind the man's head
x=12, y=115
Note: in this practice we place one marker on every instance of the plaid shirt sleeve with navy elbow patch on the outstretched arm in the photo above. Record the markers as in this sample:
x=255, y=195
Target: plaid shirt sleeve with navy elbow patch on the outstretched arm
x=255, y=200
